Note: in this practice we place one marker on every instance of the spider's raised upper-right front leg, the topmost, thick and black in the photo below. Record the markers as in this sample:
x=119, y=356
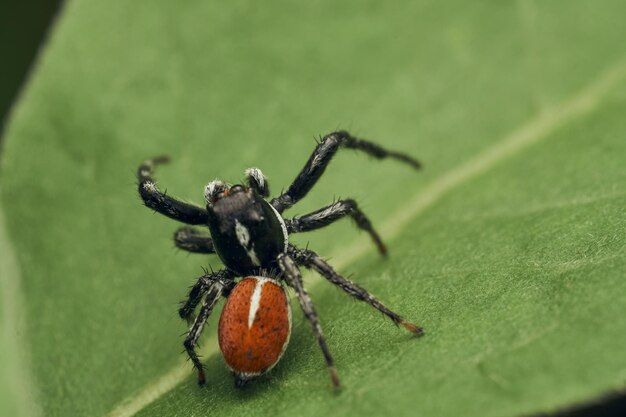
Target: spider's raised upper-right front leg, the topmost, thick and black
x=321, y=157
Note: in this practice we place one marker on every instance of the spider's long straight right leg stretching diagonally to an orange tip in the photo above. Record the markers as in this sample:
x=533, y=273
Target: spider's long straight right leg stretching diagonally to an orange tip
x=311, y=260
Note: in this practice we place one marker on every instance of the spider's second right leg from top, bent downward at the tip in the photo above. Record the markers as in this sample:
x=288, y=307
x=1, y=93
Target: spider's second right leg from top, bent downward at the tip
x=329, y=214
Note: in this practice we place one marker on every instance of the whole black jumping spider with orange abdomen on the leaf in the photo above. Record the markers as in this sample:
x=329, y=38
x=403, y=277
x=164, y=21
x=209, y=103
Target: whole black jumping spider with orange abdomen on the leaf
x=251, y=238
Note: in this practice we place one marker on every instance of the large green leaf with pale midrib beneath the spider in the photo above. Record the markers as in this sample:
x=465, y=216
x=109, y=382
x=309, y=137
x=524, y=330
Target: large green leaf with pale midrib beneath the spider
x=508, y=248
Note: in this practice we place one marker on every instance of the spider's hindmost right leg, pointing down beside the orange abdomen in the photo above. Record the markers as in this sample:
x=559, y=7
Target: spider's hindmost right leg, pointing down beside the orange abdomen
x=293, y=277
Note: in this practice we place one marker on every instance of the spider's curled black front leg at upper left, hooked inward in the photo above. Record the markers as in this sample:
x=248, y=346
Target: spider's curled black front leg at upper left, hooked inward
x=155, y=199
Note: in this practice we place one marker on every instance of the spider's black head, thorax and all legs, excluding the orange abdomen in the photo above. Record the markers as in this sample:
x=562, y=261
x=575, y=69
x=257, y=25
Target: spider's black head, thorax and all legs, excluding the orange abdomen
x=250, y=236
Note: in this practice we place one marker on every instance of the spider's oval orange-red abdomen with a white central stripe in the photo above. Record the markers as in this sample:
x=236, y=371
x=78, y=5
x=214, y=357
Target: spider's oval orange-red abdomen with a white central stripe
x=255, y=326
